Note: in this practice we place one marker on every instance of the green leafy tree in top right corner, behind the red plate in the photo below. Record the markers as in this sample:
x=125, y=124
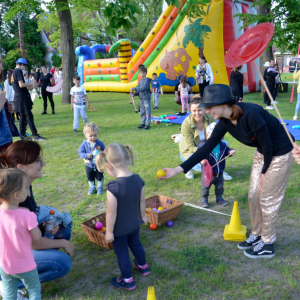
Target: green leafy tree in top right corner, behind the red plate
x=285, y=15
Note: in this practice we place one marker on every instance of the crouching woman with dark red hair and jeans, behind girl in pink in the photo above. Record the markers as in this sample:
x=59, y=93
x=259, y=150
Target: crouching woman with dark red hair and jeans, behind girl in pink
x=51, y=264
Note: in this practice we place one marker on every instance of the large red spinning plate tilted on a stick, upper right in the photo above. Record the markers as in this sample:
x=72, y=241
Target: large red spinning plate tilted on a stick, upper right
x=250, y=45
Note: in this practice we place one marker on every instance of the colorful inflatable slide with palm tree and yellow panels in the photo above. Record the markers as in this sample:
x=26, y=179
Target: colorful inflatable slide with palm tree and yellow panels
x=171, y=49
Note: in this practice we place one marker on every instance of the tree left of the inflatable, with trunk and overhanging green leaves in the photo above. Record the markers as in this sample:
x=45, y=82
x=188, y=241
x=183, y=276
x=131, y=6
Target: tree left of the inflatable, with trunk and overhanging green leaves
x=119, y=14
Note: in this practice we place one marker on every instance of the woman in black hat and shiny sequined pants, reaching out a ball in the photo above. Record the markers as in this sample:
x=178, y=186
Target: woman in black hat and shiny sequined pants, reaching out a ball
x=253, y=126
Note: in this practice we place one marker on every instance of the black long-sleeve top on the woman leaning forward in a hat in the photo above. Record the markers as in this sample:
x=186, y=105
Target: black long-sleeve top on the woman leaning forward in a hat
x=255, y=128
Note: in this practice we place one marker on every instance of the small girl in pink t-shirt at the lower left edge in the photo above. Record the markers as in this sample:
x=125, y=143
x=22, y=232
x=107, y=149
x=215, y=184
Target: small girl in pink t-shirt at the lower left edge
x=18, y=228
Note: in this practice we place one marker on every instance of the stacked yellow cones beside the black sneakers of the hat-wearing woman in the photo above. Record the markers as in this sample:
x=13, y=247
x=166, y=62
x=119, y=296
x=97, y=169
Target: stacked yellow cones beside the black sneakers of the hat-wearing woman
x=235, y=231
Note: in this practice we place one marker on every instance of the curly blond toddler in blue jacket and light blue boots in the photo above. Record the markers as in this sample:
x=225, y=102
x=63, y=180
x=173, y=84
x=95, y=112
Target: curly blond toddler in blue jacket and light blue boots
x=88, y=151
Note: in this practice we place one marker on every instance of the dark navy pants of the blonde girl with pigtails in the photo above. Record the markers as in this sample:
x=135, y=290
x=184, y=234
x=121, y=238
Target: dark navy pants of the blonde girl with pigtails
x=121, y=244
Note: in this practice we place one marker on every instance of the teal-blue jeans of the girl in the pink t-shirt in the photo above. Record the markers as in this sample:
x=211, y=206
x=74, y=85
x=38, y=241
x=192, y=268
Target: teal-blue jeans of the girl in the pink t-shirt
x=30, y=280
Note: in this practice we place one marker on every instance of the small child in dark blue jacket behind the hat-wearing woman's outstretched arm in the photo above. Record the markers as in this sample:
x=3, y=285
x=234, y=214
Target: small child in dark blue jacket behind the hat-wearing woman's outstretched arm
x=217, y=154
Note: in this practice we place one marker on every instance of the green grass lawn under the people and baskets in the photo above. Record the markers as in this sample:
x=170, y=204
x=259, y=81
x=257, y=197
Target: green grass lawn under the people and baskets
x=190, y=260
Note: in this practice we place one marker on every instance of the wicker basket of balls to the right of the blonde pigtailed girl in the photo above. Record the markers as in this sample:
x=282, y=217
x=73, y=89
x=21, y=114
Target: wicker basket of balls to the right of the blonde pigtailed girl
x=171, y=204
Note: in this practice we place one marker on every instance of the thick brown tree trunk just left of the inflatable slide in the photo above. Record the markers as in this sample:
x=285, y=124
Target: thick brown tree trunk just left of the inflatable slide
x=67, y=47
